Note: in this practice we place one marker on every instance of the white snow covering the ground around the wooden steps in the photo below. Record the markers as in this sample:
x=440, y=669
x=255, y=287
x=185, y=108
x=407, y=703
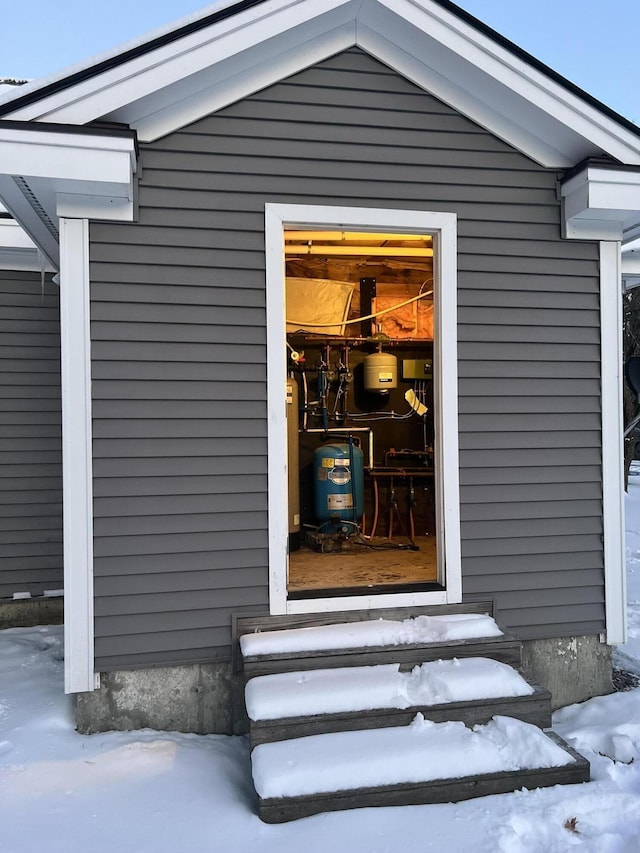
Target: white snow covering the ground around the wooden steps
x=159, y=792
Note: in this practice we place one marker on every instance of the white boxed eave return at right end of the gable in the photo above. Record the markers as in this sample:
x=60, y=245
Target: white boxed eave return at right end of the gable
x=601, y=204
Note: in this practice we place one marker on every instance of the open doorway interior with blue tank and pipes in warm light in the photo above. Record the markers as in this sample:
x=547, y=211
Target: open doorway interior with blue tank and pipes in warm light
x=361, y=425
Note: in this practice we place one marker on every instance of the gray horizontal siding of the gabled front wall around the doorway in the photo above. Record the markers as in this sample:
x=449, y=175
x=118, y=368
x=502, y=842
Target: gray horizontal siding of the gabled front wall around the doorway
x=179, y=359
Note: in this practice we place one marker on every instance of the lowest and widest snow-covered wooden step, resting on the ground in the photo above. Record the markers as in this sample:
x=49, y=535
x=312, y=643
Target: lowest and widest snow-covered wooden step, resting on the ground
x=424, y=762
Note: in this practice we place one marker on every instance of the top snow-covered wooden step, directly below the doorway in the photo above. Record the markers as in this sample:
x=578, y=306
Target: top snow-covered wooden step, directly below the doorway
x=368, y=642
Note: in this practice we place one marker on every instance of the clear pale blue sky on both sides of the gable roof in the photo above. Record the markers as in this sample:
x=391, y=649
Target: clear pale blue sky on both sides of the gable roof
x=594, y=45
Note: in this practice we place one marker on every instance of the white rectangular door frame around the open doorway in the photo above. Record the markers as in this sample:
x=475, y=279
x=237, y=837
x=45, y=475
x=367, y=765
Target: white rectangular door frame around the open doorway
x=443, y=228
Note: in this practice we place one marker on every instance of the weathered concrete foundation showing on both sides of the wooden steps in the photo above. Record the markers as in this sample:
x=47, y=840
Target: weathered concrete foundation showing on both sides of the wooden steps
x=208, y=698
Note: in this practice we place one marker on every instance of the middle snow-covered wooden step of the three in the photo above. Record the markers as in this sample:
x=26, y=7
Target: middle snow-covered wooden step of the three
x=296, y=704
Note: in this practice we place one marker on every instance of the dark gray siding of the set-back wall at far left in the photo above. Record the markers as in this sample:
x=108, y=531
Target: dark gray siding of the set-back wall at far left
x=30, y=436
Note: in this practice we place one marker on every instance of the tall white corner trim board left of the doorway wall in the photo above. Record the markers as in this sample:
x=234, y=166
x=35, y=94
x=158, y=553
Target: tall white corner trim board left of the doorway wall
x=76, y=455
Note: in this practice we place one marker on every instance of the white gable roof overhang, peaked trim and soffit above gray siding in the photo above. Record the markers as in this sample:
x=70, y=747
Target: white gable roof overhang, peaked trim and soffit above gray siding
x=170, y=86
